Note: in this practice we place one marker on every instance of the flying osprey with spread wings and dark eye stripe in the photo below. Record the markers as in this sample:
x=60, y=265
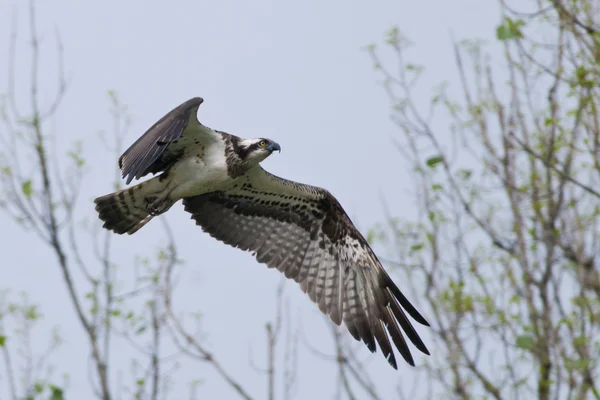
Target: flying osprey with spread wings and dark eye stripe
x=301, y=230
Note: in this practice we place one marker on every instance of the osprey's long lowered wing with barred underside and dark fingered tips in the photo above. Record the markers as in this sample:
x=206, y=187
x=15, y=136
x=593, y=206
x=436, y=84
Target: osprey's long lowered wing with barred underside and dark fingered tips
x=303, y=232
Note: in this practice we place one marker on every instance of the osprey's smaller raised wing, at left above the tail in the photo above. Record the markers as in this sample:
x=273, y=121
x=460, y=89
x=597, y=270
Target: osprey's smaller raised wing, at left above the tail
x=152, y=152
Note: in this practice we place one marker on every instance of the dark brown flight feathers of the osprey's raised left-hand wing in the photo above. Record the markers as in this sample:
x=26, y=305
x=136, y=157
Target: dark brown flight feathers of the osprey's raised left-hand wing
x=139, y=159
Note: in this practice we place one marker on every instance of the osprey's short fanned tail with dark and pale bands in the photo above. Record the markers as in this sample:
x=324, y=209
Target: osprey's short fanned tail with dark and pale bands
x=124, y=211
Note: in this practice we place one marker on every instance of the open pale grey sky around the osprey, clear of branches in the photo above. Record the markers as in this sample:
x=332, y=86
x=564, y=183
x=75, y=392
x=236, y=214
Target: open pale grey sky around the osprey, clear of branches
x=290, y=71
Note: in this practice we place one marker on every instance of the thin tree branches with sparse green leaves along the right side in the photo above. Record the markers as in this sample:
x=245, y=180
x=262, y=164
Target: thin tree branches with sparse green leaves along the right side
x=504, y=247
